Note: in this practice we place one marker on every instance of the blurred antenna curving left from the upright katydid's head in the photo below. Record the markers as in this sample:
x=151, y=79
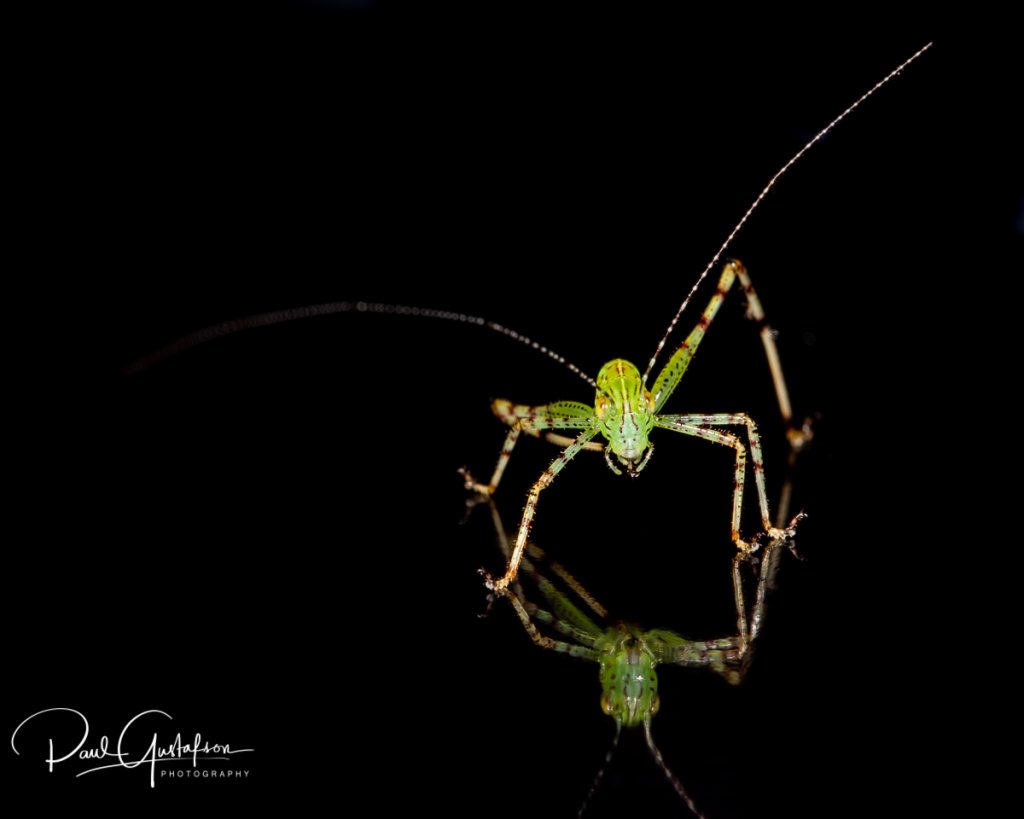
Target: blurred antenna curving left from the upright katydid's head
x=295, y=314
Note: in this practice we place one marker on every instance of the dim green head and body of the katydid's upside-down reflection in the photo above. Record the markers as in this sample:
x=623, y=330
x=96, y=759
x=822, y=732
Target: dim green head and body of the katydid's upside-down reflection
x=629, y=682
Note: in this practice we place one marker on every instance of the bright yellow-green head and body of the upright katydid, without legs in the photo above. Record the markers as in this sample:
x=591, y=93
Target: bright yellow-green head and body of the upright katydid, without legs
x=625, y=412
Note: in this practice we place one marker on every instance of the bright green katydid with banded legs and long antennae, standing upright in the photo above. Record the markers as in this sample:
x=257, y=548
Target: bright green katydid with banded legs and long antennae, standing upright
x=626, y=411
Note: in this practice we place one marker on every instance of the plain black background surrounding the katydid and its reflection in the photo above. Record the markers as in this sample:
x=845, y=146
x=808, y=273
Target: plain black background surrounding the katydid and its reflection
x=262, y=537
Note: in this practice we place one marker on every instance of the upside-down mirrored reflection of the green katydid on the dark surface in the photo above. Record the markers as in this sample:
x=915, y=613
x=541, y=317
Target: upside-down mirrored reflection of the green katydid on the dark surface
x=627, y=655
